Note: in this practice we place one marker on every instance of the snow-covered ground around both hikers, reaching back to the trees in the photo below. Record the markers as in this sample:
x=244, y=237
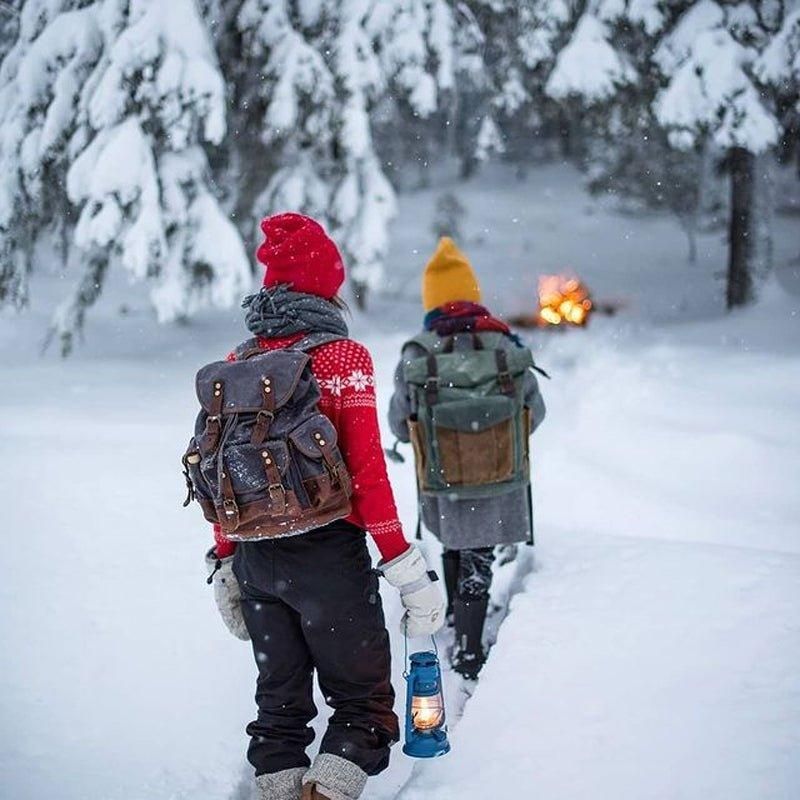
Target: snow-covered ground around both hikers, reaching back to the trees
x=653, y=637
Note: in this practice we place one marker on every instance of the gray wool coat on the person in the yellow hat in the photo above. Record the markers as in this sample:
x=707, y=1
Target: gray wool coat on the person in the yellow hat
x=466, y=524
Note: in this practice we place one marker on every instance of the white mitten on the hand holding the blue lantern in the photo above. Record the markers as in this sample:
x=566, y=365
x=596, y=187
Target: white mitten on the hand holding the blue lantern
x=419, y=592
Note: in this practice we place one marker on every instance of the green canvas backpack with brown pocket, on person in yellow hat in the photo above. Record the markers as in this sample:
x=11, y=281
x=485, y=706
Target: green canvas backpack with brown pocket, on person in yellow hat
x=469, y=426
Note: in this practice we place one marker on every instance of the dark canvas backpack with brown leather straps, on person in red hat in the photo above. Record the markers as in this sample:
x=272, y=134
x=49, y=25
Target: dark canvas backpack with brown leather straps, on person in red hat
x=264, y=461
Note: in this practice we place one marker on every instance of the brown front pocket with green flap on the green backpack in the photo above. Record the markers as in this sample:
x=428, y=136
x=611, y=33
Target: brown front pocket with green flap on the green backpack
x=475, y=441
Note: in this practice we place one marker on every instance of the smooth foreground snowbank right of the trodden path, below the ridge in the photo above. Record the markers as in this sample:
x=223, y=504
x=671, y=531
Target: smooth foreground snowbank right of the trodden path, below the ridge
x=636, y=669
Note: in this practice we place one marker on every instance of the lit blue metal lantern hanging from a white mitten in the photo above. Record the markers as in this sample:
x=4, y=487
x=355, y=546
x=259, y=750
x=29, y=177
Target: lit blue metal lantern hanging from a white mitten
x=426, y=731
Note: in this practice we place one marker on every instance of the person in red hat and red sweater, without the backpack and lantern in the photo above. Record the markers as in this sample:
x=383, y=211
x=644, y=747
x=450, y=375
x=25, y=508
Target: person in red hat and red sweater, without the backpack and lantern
x=310, y=602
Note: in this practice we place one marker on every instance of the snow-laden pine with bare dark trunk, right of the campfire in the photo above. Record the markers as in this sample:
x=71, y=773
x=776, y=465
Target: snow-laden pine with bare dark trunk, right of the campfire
x=707, y=59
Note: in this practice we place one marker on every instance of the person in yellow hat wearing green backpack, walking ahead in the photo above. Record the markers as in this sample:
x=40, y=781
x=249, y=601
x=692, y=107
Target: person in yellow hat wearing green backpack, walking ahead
x=467, y=397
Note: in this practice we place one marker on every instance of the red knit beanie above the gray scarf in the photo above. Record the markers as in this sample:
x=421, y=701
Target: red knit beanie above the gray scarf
x=296, y=250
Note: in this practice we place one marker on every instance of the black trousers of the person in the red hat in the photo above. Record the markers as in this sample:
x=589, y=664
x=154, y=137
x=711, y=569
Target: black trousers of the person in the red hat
x=312, y=602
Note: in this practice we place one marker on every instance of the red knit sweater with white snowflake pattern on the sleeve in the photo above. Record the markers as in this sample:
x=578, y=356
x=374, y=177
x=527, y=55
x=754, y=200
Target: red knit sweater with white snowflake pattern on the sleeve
x=346, y=380
